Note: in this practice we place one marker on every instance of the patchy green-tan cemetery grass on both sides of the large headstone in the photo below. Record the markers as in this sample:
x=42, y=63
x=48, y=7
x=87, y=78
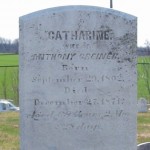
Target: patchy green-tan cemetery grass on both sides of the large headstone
x=9, y=130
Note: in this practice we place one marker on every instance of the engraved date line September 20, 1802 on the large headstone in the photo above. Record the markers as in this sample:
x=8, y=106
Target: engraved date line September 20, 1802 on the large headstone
x=67, y=78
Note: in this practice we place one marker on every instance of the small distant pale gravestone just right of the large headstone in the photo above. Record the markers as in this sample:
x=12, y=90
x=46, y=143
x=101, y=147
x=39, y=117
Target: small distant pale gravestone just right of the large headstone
x=142, y=105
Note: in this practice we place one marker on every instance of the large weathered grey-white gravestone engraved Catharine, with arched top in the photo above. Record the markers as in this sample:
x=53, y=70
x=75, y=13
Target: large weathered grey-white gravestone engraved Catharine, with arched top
x=78, y=79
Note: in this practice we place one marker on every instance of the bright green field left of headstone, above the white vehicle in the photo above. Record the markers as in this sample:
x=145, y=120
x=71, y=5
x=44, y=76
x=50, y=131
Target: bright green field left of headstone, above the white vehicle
x=9, y=77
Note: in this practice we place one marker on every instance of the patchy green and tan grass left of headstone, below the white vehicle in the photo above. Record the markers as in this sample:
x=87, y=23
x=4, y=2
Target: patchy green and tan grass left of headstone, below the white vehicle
x=9, y=131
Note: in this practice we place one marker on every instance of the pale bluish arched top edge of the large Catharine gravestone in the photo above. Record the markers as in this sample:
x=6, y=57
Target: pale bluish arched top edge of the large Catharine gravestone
x=79, y=8
